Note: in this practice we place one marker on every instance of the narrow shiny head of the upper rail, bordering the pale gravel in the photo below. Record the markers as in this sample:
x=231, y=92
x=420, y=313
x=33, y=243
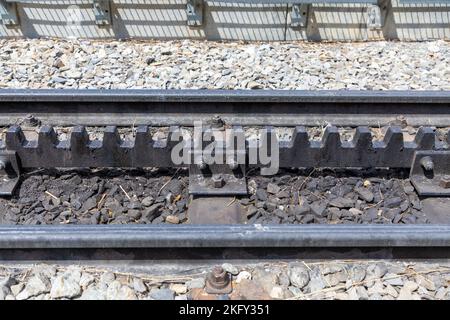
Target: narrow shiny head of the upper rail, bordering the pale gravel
x=225, y=96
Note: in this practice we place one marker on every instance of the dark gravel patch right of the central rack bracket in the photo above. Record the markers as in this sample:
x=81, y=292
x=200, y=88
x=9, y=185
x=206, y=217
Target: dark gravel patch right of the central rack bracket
x=334, y=197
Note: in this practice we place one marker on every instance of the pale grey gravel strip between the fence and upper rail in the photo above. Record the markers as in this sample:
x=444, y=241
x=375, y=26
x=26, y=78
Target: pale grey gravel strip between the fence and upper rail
x=47, y=63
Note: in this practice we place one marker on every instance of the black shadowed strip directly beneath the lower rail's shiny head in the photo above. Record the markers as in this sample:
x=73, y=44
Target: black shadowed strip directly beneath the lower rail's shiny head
x=209, y=255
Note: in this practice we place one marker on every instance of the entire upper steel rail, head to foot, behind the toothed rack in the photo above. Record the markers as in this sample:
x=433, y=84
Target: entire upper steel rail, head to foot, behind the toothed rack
x=236, y=107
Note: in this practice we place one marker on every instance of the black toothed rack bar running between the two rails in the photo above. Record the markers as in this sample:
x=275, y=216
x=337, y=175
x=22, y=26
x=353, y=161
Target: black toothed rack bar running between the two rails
x=142, y=151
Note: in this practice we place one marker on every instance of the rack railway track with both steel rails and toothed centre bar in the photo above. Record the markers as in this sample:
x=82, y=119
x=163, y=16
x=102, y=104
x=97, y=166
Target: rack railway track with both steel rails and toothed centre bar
x=43, y=130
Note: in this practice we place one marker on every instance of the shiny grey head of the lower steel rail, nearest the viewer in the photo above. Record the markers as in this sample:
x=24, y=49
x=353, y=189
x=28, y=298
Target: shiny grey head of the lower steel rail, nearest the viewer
x=223, y=236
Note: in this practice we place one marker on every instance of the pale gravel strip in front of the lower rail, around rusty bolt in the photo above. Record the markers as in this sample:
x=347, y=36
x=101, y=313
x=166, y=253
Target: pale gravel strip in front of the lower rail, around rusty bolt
x=303, y=280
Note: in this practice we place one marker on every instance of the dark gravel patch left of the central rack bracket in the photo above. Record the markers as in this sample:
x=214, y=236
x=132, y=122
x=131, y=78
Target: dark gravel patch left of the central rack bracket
x=98, y=197
